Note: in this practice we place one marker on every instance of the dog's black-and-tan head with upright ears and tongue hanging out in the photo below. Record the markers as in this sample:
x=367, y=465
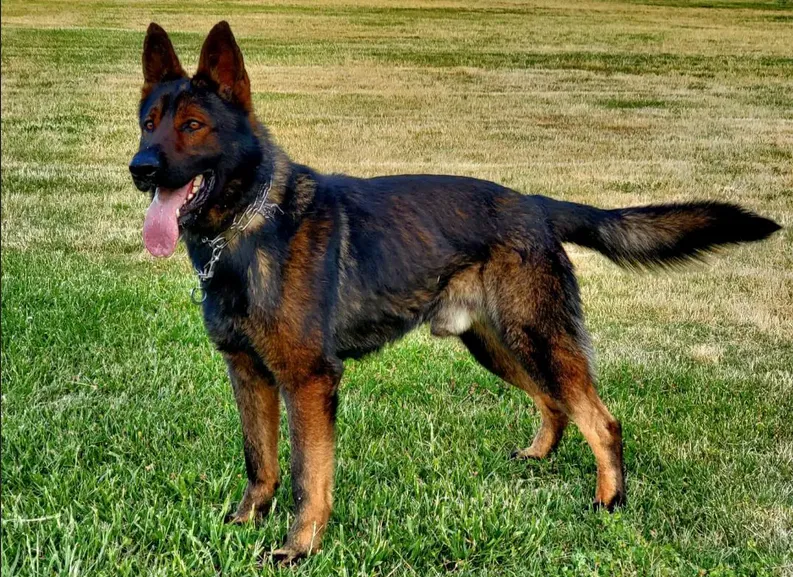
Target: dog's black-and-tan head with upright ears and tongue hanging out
x=198, y=135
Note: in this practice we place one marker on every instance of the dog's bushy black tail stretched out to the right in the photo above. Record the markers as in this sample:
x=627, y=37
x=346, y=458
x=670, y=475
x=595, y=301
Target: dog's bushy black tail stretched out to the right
x=656, y=235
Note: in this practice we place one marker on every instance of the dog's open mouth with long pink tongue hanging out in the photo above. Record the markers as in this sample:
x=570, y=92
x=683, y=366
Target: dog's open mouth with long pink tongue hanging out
x=171, y=208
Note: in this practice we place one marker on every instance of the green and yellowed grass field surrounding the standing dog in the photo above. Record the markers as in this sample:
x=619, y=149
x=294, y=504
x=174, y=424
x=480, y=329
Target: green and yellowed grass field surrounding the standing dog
x=121, y=449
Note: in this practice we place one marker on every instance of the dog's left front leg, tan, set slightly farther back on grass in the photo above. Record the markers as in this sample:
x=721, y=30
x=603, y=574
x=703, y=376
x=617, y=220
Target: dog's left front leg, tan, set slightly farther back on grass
x=257, y=399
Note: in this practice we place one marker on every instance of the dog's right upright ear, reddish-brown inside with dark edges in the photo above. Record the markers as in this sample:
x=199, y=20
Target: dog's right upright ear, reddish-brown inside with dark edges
x=221, y=62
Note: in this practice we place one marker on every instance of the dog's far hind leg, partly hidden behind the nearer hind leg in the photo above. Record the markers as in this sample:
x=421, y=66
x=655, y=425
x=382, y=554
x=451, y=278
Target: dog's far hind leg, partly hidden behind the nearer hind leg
x=487, y=348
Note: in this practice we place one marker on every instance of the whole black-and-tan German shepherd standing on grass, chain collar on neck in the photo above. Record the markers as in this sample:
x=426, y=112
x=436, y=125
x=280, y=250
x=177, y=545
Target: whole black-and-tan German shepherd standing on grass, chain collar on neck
x=341, y=266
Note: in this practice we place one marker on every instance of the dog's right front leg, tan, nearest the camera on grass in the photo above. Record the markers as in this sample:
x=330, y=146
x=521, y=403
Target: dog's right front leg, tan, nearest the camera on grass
x=311, y=406
